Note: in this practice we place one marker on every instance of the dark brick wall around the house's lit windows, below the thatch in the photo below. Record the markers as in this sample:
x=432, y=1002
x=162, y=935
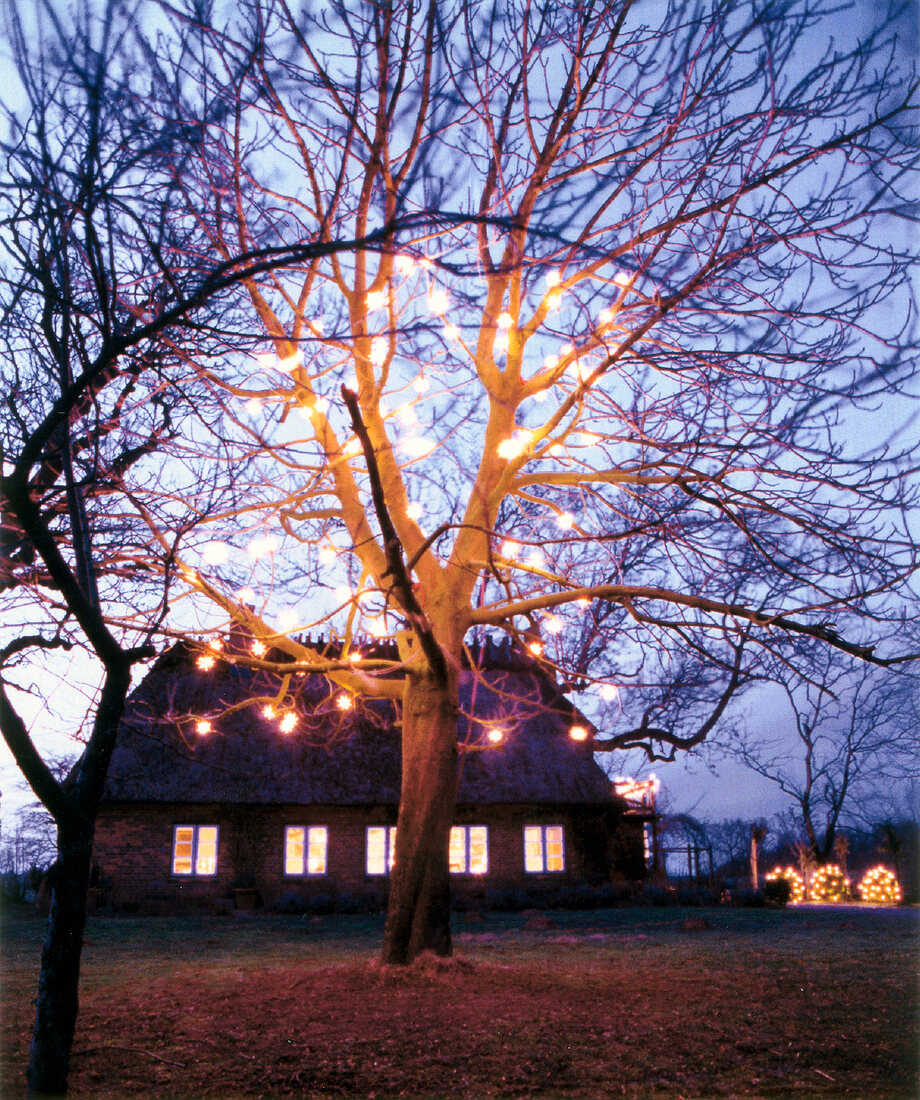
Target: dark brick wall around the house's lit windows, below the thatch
x=135, y=844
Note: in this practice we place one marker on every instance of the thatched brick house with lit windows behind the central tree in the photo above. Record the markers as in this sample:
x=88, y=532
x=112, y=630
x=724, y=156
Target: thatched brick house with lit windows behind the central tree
x=221, y=793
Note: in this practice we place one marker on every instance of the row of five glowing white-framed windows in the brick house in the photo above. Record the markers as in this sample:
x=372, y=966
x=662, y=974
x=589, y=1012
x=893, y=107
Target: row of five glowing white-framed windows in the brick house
x=306, y=850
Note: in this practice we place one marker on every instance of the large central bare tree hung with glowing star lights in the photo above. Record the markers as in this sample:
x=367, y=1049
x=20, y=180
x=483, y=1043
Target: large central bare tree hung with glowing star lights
x=603, y=409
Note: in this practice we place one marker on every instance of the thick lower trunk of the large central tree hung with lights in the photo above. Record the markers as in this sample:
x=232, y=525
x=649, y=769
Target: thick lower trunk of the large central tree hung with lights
x=419, y=910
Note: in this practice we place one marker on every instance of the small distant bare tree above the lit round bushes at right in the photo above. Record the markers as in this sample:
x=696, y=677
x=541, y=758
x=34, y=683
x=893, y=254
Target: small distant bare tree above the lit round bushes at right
x=851, y=735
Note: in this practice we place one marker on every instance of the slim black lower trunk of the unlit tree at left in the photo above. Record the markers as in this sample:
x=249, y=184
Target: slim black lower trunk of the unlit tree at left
x=59, y=982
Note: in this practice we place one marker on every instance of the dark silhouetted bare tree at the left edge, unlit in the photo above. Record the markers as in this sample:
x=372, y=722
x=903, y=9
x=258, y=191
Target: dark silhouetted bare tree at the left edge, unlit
x=105, y=288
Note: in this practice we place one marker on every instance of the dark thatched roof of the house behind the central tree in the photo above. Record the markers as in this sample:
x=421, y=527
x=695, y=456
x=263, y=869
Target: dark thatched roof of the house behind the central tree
x=342, y=760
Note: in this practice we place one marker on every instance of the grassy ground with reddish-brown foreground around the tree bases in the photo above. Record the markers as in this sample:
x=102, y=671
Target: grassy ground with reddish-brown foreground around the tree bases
x=808, y=1003
